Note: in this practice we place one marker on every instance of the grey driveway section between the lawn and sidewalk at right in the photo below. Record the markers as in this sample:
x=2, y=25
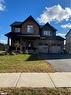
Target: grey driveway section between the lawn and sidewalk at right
x=61, y=65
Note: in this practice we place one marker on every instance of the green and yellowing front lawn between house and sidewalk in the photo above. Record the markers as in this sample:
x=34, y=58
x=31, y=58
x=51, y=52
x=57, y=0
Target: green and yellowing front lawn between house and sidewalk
x=24, y=63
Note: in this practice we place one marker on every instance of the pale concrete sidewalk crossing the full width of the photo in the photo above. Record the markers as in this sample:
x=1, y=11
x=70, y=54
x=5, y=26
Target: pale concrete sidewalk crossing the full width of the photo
x=35, y=79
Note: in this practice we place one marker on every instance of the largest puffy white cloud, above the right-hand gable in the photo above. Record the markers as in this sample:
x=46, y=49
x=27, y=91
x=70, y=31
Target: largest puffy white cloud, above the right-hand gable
x=55, y=13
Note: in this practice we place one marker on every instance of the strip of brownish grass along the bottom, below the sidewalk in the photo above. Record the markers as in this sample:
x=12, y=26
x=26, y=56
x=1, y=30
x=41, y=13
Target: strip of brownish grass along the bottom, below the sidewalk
x=36, y=91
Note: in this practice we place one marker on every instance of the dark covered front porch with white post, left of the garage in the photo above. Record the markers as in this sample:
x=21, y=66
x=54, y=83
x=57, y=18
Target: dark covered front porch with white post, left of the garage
x=21, y=43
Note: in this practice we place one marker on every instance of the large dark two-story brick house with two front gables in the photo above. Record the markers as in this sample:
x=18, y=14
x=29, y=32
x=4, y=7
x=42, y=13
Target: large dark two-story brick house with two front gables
x=29, y=36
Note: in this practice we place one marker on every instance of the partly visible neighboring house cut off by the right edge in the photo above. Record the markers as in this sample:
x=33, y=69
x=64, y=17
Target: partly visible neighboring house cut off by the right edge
x=68, y=42
